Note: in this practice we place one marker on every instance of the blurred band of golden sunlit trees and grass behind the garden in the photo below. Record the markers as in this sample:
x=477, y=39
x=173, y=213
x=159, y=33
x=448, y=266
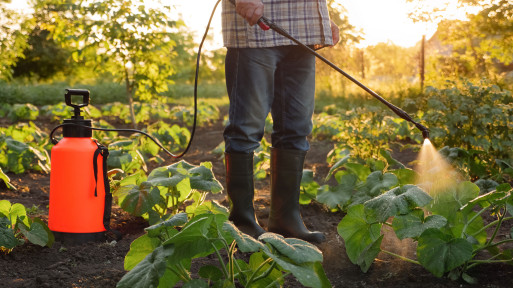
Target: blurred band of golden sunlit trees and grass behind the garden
x=125, y=51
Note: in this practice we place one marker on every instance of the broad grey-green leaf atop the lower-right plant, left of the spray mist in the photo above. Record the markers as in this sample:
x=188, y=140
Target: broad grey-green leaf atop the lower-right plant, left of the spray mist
x=397, y=201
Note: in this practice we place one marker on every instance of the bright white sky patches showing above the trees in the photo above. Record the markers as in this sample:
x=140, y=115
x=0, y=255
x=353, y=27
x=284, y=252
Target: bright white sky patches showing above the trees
x=380, y=20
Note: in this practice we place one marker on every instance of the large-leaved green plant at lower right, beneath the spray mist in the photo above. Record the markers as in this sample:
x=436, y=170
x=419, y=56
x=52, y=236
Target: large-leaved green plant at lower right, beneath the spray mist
x=449, y=239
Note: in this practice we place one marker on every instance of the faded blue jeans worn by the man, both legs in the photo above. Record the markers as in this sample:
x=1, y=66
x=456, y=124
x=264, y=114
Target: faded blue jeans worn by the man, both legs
x=280, y=80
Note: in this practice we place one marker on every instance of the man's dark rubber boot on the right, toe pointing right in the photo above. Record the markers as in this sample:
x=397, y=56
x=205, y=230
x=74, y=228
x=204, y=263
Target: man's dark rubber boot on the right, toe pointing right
x=285, y=216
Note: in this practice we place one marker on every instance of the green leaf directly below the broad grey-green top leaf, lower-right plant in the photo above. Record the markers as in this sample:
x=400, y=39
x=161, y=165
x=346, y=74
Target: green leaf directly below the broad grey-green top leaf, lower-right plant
x=413, y=224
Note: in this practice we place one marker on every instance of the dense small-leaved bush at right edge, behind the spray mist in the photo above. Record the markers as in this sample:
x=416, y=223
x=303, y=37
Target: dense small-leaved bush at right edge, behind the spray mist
x=471, y=117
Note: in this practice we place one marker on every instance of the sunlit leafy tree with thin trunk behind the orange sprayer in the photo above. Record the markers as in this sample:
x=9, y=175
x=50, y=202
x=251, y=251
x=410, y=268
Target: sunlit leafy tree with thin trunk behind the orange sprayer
x=128, y=39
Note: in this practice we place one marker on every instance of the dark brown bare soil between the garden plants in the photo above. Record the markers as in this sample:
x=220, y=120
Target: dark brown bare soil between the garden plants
x=101, y=264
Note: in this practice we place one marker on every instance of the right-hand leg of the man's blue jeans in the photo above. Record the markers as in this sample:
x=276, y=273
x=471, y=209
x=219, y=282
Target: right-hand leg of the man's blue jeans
x=293, y=104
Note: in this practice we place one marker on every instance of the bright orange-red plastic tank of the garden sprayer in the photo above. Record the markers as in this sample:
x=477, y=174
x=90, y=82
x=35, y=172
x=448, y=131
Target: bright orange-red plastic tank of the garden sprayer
x=74, y=207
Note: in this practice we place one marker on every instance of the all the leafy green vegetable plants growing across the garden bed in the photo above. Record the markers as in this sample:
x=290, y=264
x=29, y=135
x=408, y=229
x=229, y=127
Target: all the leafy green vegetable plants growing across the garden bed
x=455, y=230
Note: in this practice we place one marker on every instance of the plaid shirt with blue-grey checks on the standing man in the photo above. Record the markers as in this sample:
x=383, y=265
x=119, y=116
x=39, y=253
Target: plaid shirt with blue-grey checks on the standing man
x=306, y=20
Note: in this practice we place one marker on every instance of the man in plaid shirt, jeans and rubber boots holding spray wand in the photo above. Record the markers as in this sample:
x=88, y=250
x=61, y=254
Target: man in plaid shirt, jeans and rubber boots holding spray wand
x=266, y=72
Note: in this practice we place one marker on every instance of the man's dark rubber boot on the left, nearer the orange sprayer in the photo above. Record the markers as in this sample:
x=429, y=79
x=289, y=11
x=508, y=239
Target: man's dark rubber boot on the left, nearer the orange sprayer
x=240, y=189
